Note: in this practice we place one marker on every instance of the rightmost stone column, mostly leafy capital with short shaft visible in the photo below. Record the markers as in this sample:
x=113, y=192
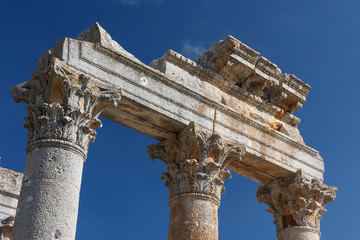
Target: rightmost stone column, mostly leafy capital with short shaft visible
x=297, y=204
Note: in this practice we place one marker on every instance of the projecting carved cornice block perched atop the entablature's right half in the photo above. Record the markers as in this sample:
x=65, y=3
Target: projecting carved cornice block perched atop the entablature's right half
x=244, y=67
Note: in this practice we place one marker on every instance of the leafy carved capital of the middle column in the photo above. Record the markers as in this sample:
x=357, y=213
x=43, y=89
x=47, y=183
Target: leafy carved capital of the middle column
x=196, y=162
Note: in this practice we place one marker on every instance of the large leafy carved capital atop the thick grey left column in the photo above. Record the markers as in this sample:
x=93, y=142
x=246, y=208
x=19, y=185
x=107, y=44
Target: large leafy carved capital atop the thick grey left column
x=63, y=106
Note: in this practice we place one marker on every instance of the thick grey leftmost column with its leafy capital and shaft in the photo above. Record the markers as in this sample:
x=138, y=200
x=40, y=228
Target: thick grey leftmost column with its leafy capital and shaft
x=63, y=109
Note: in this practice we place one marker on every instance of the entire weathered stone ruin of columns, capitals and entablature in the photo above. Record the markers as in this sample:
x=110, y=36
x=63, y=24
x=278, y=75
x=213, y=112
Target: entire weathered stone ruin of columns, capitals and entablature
x=232, y=109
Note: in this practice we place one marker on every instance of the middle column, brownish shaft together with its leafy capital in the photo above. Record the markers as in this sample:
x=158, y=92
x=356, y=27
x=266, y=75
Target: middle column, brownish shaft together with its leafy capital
x=196, y=163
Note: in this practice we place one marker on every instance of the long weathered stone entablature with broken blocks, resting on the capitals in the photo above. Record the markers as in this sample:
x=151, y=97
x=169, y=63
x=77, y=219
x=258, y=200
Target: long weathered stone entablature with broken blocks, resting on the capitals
x=161, y=99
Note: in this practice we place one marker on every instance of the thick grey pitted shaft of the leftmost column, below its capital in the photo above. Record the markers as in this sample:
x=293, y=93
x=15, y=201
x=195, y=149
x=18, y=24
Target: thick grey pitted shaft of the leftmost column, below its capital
x=49, y=199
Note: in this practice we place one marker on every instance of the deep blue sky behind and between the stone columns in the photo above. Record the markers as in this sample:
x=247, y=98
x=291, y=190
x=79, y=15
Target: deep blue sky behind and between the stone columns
x=122, y=196
